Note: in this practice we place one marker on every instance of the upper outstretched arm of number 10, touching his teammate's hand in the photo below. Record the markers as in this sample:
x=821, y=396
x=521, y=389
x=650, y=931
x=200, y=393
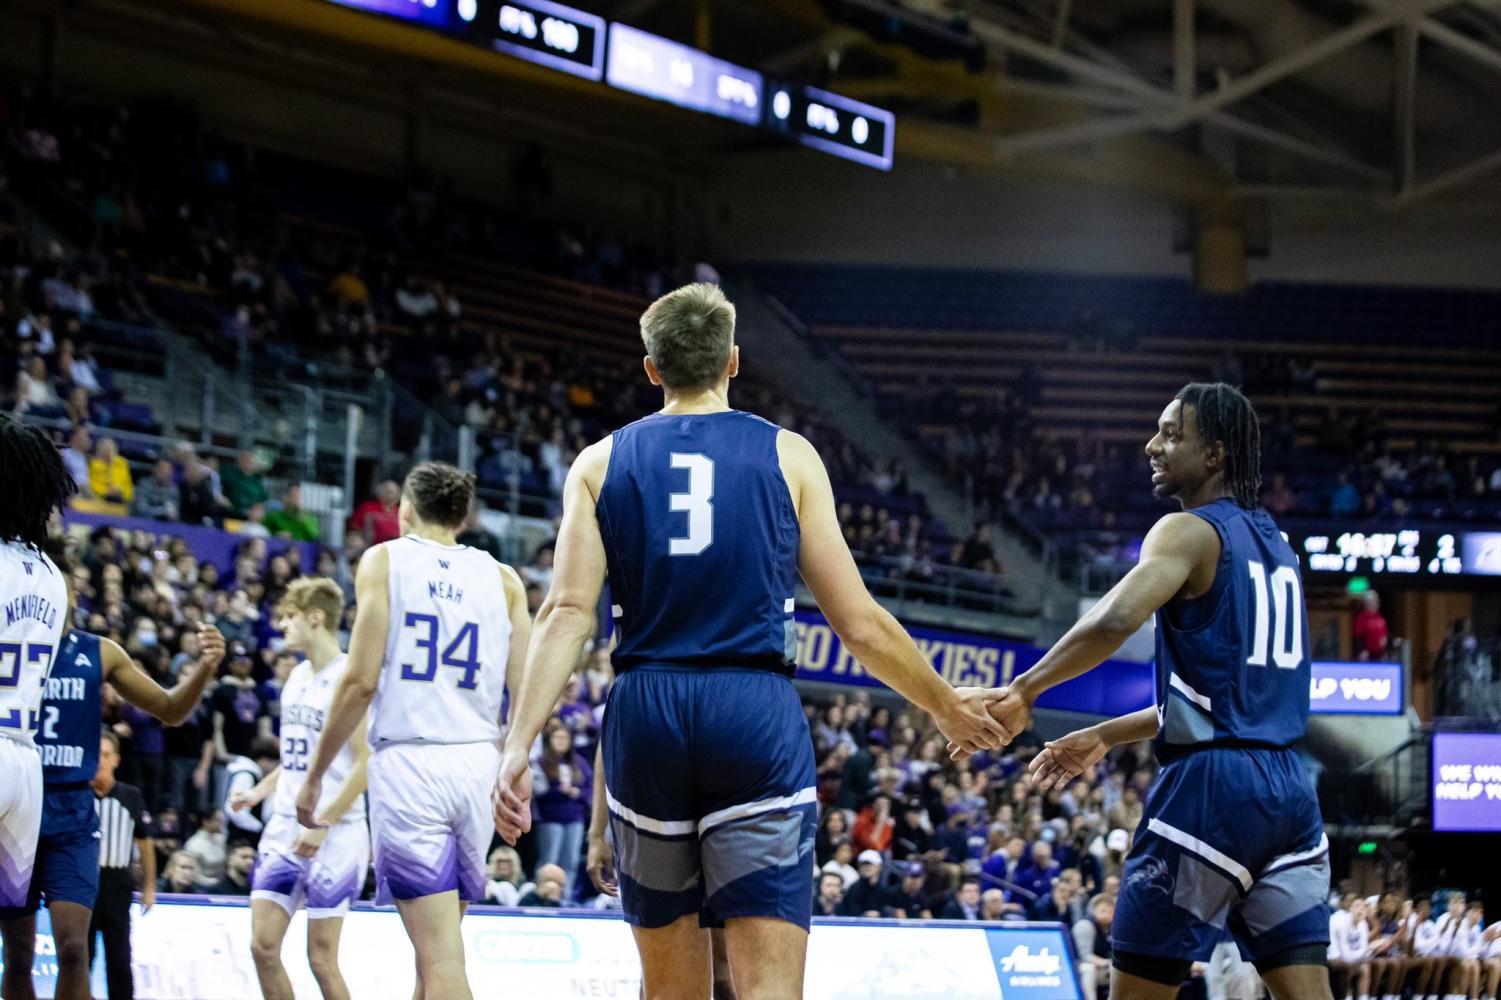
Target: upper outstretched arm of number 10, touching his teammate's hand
x=1173, y=550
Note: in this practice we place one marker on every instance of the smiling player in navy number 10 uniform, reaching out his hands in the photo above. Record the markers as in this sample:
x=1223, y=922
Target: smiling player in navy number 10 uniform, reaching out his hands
x=1232, y=836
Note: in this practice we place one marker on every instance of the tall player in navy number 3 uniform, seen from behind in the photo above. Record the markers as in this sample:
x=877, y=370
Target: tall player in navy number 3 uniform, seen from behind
x=705, y=517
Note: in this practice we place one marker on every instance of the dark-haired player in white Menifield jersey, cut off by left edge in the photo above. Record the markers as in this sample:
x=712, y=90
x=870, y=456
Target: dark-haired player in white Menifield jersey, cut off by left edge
x=34, y=615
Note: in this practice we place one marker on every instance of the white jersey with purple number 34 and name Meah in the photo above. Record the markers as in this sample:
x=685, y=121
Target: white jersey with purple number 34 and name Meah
x=450, y=634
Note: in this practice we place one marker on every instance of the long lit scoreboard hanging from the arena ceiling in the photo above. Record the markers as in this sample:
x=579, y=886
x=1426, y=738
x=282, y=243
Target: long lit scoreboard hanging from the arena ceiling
x=624, y=58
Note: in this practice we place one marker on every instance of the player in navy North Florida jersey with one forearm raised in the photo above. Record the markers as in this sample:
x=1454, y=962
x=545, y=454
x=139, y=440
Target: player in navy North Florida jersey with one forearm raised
x=67, y=872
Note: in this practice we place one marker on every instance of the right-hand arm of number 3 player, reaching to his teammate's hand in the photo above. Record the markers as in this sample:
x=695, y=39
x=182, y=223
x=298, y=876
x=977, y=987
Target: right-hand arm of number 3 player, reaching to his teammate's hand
x=868, y=630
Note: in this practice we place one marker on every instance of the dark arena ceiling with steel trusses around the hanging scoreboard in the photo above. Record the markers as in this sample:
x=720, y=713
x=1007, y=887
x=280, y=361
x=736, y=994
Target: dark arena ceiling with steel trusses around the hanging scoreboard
x=1376, y=103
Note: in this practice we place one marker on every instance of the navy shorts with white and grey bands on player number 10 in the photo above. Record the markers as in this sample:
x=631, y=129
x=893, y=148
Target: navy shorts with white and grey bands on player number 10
x=1230, y=840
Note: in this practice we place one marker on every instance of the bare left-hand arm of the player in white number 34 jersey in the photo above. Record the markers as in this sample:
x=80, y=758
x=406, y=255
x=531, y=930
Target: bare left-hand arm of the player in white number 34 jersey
x=356, y=690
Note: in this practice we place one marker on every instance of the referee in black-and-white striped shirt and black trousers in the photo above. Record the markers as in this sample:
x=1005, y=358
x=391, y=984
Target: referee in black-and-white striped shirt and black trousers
x=122, y=828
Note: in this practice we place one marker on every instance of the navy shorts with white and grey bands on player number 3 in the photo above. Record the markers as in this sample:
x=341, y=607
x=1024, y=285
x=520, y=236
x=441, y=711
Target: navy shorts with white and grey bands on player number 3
x=712, y=797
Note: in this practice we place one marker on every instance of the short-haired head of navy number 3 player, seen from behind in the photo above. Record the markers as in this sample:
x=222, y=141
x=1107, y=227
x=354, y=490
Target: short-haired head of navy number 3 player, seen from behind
x=688, y=336
